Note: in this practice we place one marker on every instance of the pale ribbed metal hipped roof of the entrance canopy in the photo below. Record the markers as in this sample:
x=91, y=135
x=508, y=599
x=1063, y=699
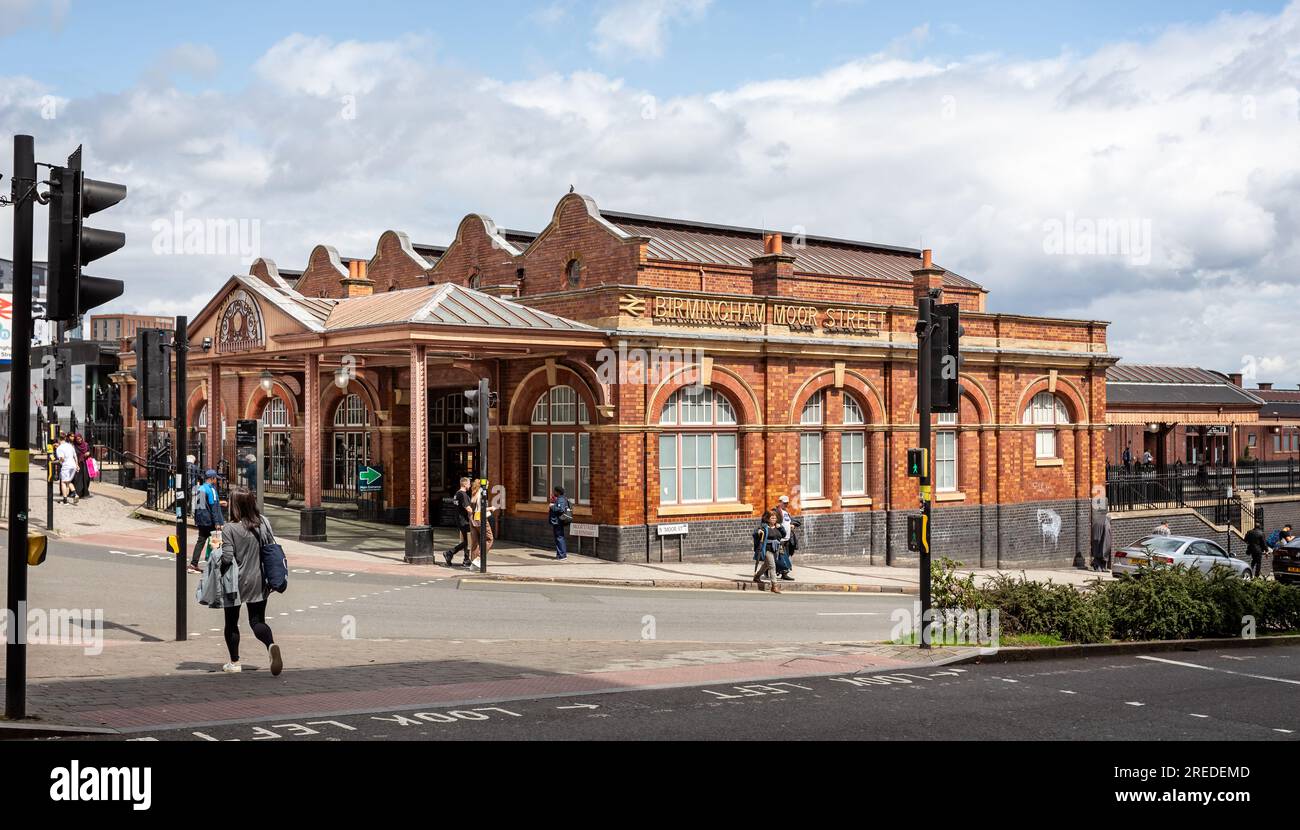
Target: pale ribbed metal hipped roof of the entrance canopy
x=444, y=305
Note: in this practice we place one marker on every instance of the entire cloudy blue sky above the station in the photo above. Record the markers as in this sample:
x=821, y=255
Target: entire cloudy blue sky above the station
x=1132, y=162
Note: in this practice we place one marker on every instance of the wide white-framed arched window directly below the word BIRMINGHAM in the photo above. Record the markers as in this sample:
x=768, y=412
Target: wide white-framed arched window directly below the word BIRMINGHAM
x=700, y=459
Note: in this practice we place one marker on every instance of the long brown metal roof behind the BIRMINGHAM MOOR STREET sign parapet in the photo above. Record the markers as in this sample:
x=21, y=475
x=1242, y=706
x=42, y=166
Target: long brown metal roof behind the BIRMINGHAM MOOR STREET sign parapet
x=682, y=241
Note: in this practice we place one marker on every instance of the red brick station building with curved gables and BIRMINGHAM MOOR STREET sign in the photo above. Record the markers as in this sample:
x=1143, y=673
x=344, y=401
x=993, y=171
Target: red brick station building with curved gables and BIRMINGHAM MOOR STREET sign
x=665, y=373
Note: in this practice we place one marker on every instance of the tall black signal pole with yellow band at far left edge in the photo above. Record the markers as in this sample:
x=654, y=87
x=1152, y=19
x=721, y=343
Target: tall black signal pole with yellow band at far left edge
x=24, y=188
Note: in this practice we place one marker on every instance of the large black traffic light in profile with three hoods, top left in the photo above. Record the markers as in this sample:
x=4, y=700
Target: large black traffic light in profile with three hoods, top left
x=72, y=245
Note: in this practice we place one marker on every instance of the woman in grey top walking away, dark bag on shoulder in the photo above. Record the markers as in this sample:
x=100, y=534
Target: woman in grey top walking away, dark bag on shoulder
x=242, y=541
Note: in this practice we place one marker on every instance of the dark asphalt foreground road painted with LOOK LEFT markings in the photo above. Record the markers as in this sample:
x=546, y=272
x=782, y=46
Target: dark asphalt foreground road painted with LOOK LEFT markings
x=1242, y=695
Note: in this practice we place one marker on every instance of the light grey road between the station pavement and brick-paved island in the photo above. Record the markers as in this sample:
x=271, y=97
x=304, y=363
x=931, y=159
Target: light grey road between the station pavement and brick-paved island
x=136, y=590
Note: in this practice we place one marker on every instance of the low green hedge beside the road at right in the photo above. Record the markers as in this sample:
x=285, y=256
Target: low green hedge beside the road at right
x=1158, y=604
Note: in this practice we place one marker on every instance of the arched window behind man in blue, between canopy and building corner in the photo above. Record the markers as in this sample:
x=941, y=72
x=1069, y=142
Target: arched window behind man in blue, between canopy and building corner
x=561, y=446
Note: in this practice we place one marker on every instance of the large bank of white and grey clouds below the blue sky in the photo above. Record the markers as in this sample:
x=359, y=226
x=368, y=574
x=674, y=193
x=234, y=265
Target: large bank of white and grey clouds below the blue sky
x=1194, y=133
